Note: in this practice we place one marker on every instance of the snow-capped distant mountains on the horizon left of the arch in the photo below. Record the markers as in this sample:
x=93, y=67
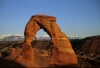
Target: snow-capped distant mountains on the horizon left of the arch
x=12, y=37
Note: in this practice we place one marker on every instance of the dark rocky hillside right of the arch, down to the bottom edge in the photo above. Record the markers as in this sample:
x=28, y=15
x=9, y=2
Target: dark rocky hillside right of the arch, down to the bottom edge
x=88, y=51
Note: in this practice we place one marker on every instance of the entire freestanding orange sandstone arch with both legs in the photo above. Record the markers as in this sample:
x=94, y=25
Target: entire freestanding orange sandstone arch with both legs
x=62, y=52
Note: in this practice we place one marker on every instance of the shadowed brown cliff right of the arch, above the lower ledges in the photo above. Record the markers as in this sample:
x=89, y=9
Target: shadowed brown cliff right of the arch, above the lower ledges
x=89, y=46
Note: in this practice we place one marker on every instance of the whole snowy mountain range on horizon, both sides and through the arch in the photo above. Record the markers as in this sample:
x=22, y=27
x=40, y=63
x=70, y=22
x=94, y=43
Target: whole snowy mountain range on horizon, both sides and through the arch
x=18, y=37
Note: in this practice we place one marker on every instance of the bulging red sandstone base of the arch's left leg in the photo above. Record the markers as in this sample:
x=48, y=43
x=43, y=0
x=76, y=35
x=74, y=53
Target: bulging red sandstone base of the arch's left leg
x=26, y=58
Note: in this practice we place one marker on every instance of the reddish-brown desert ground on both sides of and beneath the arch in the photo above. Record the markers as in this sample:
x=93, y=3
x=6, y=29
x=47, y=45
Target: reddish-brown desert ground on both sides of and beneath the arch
x=87, y=50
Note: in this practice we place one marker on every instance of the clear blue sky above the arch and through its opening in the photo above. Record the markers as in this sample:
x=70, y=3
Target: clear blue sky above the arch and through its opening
x=75, y=17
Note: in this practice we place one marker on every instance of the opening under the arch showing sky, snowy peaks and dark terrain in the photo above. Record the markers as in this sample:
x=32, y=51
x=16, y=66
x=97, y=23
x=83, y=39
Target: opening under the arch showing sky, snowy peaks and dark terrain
x=42, y=40
